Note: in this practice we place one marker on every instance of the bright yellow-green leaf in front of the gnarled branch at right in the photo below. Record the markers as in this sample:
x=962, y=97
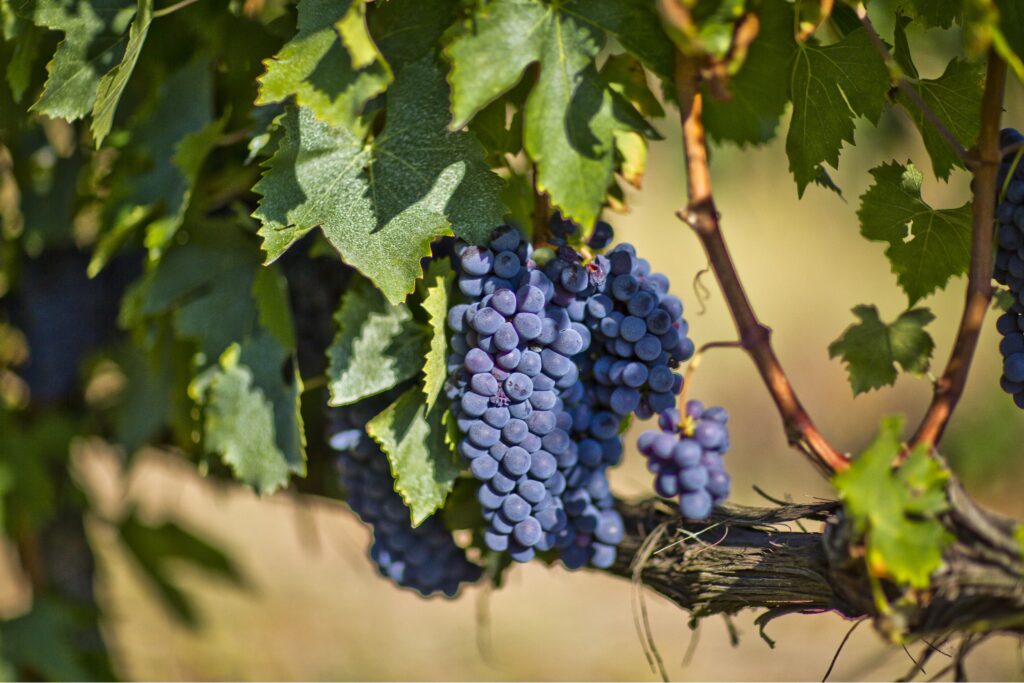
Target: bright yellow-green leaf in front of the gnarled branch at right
x=897, y=510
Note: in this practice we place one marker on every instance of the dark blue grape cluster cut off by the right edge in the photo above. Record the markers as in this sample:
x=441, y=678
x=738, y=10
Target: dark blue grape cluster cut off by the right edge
x=1010, y=271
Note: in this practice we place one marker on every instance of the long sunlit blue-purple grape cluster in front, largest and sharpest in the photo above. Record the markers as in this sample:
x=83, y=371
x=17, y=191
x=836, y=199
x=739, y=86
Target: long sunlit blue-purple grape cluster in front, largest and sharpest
x=511, y=358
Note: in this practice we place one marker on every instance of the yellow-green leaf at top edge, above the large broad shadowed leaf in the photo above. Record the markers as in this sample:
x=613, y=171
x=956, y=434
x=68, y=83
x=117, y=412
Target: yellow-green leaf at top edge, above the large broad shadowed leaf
x=331, y=66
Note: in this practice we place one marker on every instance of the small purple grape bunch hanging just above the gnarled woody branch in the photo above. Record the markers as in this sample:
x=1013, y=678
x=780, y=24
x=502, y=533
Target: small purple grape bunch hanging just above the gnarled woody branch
x=687, y=458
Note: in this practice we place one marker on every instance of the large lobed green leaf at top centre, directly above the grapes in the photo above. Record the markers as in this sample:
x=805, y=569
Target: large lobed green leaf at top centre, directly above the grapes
x=572, y=115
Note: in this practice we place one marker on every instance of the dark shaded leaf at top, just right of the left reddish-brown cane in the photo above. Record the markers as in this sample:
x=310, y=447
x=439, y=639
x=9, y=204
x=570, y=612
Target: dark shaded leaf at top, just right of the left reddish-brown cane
x=760, y=92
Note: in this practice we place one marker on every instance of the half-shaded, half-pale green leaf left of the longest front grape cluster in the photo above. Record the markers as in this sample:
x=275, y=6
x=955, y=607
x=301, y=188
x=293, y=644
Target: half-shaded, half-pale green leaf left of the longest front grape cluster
x=378, y=346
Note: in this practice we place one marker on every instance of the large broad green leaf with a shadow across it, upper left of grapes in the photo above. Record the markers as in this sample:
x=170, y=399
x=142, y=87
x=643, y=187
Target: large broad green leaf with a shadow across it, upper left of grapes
x=381, y=204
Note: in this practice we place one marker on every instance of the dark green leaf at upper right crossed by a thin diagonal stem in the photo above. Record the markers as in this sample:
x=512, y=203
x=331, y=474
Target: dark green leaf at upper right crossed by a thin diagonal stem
x=956, y=99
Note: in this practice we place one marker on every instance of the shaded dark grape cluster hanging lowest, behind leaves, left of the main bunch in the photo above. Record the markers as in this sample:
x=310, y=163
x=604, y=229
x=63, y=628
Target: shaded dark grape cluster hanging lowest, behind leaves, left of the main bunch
x=425, y=559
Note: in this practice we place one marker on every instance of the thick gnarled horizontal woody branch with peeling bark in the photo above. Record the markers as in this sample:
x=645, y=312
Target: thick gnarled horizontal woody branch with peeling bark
x=744, y=559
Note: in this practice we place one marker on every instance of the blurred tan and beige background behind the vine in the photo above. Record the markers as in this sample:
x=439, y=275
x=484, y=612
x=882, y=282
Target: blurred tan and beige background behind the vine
x=313, y=608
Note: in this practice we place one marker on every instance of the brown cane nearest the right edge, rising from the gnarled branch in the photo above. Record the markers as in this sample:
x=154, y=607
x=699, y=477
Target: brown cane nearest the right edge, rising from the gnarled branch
x=979, y=286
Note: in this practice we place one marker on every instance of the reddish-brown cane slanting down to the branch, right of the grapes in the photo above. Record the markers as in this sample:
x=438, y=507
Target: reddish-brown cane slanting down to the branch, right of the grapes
x=755, y=337
